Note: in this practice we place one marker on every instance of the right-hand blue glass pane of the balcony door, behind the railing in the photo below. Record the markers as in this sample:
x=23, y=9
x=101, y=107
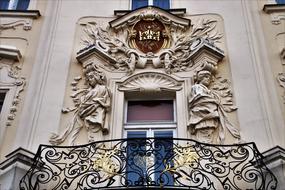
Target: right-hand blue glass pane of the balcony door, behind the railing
x=163, y=156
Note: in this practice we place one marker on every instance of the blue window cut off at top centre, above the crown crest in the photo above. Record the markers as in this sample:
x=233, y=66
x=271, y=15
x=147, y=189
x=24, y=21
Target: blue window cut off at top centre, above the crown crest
x=164, y=4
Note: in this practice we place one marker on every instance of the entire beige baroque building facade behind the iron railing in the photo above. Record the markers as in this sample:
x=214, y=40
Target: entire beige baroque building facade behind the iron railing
x=78, y=72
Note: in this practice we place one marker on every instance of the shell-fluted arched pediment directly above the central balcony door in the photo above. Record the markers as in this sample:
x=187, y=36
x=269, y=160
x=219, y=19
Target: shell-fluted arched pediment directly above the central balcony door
x=150, y=82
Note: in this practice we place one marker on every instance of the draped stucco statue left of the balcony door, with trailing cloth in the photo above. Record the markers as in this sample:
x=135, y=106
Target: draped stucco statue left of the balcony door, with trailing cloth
x=91, y=105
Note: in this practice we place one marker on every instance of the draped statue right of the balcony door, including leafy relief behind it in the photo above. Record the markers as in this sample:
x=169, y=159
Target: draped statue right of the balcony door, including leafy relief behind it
x=208, y=105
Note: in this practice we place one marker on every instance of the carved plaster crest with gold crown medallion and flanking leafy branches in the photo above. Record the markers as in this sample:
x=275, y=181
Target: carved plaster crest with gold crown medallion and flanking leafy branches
x=171, y=47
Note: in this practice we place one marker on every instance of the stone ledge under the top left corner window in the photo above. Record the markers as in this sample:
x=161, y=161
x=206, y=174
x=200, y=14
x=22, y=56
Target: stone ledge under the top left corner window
x=34, y=14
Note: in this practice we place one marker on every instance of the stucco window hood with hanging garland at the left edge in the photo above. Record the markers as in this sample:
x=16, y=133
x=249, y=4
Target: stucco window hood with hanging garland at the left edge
x=10, y=78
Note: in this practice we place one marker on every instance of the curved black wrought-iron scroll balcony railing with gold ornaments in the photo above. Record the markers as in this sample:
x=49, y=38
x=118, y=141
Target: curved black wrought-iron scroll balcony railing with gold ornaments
x=149, y=163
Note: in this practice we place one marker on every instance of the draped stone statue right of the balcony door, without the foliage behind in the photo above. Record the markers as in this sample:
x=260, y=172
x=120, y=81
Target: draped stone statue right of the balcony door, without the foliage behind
x=208, y=120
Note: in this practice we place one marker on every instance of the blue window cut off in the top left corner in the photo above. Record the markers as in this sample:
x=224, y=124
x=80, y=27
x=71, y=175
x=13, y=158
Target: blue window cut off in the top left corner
x=14, y=4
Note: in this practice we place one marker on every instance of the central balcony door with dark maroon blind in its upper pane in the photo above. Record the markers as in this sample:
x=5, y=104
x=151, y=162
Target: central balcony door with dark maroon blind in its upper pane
x=154, y=119
